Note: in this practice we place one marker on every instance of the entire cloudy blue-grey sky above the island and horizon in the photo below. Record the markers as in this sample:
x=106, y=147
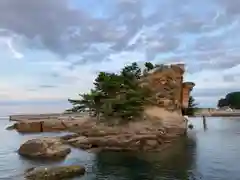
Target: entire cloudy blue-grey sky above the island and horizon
x=51, y=50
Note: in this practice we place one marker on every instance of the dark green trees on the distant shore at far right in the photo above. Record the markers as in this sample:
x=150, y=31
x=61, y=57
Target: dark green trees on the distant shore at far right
x=232, y=100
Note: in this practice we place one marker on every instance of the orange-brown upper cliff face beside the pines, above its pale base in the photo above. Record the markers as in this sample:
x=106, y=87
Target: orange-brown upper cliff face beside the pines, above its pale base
x=168, y=89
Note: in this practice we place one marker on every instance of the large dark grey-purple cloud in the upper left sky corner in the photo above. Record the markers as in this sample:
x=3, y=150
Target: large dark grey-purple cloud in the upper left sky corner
x=60, y=28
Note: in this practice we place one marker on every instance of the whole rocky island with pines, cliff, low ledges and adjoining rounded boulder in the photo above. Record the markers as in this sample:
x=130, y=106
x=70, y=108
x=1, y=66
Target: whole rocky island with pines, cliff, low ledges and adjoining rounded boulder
x=135, y=110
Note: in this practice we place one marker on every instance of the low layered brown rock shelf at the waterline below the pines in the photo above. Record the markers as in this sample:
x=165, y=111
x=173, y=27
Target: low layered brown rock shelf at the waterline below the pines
x=145, y=135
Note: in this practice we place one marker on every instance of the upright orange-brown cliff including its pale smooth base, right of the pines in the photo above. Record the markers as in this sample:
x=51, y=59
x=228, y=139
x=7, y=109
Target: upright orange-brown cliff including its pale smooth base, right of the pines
x=169, y=95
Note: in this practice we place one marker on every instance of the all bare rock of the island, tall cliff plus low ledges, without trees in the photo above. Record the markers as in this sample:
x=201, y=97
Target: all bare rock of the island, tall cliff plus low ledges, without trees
x=162, y=121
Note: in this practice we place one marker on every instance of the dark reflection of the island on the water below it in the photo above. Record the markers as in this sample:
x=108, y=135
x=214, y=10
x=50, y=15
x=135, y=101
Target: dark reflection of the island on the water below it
x=173, y=164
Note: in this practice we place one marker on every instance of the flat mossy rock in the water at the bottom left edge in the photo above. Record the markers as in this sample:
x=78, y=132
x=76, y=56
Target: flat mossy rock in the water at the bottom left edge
x=54, y=173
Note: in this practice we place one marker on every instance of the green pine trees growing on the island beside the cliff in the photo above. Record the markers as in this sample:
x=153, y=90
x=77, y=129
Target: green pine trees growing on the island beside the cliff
x=116, y=96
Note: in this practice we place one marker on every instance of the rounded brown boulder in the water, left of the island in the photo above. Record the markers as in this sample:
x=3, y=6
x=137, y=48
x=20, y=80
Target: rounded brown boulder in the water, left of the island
x=47, y=148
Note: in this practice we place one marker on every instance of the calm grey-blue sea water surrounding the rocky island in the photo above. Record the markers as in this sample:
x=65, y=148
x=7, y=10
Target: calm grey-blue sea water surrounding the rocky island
x=210, y=154
